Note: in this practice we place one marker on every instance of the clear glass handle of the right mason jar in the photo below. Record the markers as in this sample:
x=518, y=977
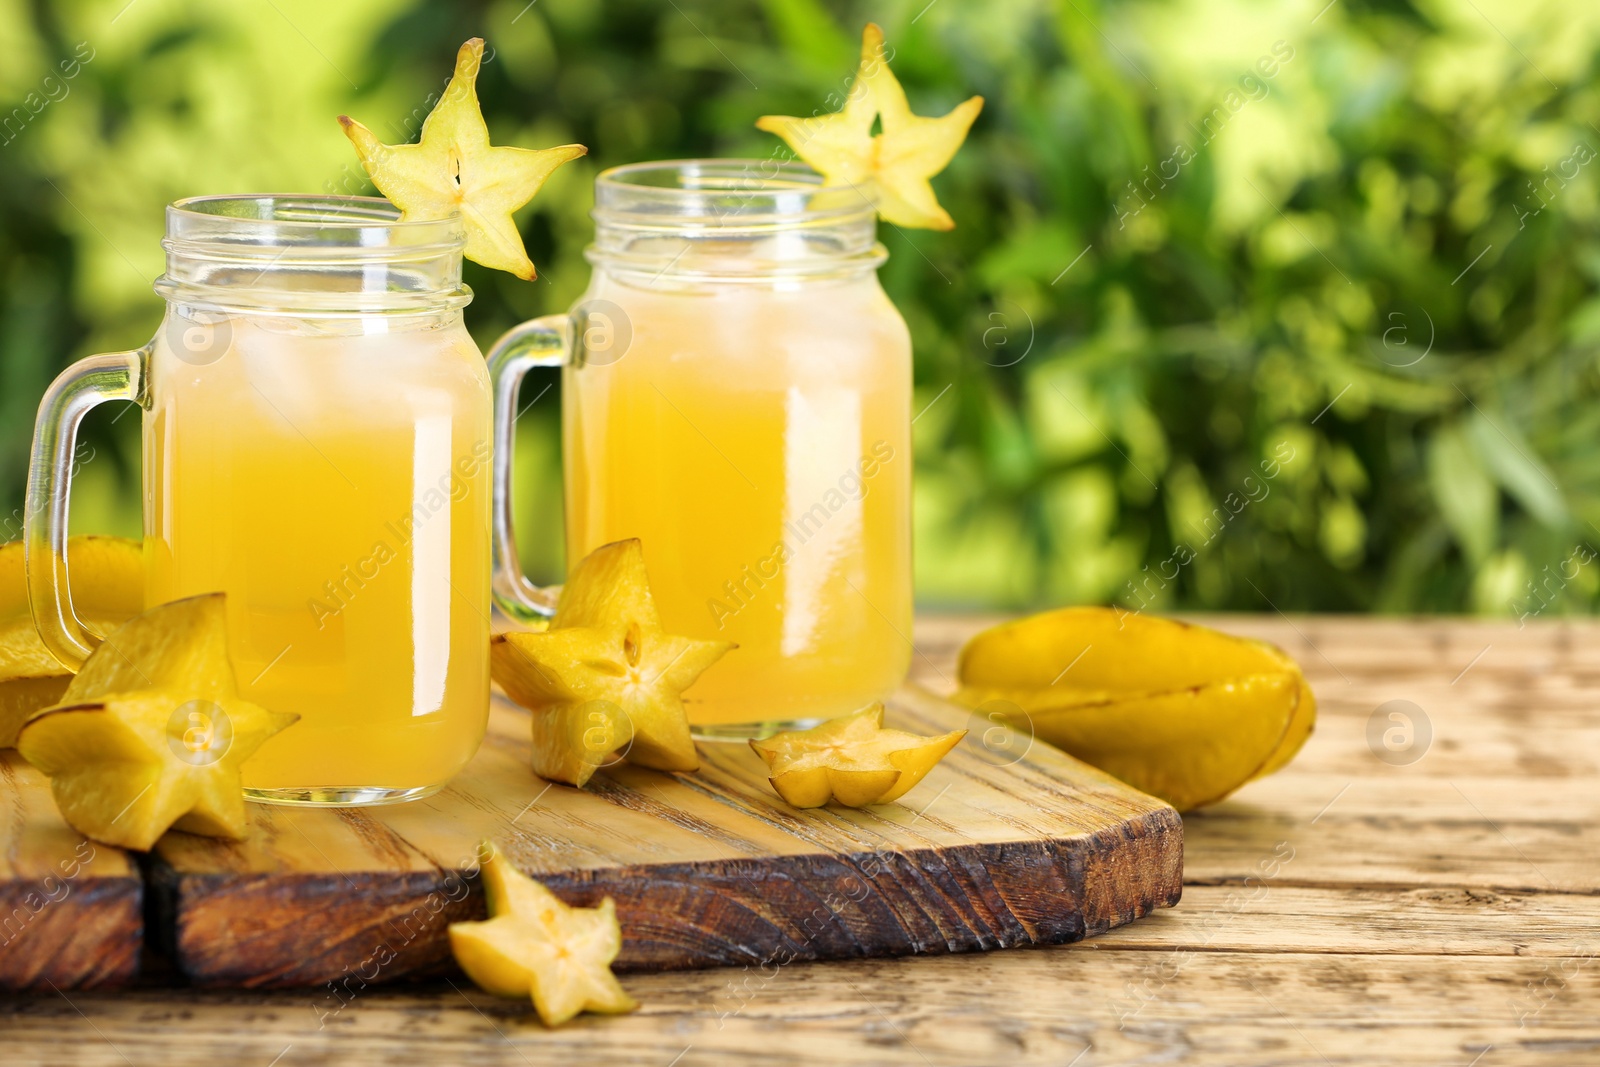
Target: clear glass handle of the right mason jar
x=543, y=342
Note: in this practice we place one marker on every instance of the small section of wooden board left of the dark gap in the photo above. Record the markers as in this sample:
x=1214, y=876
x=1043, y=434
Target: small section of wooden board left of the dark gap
x=71, y=909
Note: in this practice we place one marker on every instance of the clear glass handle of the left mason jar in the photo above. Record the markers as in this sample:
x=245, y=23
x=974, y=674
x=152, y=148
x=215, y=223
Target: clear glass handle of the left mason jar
x=89, y=383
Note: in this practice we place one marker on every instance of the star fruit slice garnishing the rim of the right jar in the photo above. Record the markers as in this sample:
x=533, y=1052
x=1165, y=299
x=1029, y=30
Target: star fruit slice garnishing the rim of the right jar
x=900, y=161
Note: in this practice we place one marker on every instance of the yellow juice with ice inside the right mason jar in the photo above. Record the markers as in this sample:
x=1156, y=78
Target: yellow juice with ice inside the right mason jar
x=756, y=439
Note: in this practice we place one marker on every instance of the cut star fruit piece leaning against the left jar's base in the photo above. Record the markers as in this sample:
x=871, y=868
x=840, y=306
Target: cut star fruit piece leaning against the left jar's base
x=151, y=732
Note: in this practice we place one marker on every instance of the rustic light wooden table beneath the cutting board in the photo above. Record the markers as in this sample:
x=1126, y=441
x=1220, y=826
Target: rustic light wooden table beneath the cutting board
x=1418, y=890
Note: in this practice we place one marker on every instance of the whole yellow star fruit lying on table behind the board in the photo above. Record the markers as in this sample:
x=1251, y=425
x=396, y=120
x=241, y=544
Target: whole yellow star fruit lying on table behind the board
x=1180, y=711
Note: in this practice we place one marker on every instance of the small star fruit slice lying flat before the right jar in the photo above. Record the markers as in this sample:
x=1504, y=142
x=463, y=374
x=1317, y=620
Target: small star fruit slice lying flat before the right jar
x=850, y=761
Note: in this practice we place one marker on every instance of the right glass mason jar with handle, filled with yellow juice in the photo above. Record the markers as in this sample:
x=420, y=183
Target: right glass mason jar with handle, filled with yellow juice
x=737, y=394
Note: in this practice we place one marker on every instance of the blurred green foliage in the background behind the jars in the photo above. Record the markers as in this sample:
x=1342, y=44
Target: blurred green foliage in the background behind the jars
x=1250, y=305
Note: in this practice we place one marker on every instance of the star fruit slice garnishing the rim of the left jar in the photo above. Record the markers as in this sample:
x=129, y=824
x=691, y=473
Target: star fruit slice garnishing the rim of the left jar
x=455, y=169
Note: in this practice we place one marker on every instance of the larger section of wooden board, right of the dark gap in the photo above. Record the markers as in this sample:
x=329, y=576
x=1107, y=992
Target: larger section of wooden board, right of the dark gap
x=998, y=849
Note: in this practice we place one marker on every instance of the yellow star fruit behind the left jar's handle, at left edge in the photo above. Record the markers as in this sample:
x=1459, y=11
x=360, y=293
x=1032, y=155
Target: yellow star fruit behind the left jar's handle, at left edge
x=108, y=589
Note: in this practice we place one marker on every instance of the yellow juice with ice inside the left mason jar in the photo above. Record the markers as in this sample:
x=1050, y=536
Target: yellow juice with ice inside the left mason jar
x=335, y=484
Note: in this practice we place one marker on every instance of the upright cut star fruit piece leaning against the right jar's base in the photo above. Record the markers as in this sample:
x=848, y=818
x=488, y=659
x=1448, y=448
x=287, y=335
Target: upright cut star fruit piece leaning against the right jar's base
x=606, y=676
